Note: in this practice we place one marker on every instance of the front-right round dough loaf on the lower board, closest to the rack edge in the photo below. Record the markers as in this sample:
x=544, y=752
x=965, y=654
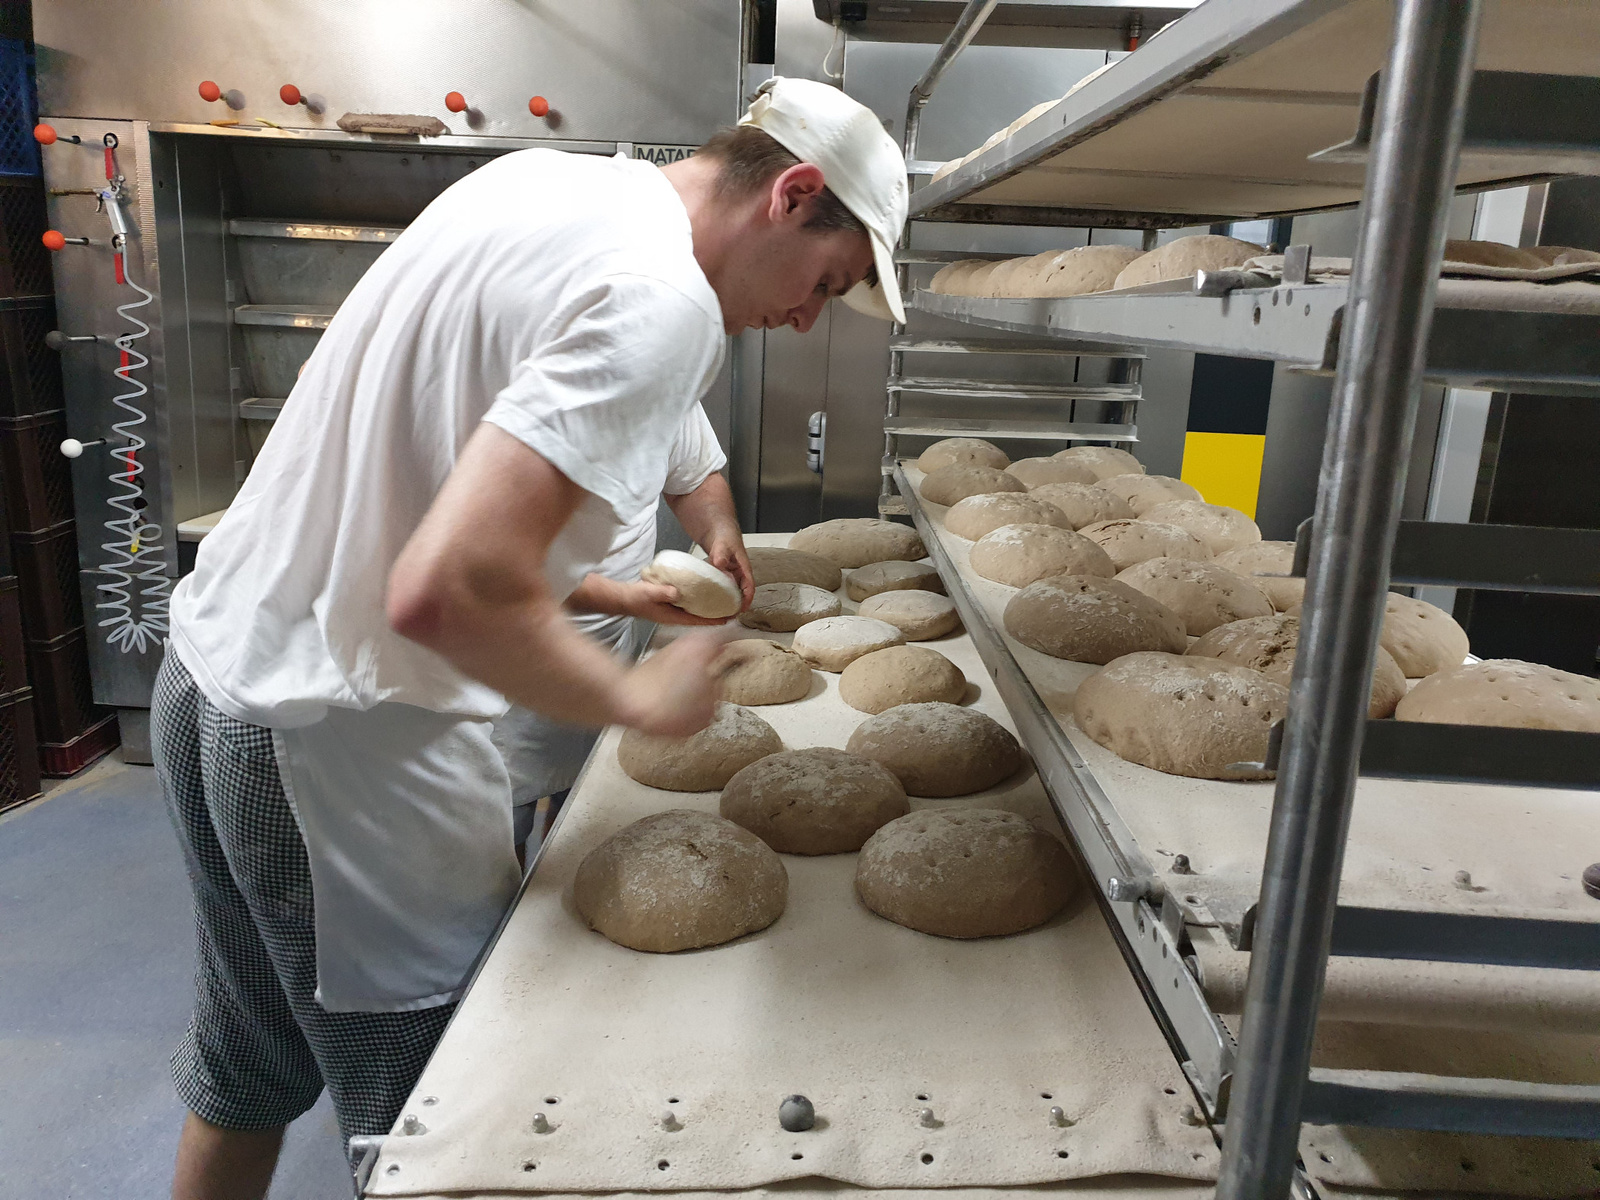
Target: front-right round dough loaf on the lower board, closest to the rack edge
x=966, y=873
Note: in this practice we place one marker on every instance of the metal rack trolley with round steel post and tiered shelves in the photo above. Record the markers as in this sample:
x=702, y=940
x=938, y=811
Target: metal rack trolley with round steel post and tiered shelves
x=1425, y=127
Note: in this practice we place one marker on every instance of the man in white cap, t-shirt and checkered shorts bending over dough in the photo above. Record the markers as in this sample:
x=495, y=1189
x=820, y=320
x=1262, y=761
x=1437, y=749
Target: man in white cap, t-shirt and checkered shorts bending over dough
x=487, y=410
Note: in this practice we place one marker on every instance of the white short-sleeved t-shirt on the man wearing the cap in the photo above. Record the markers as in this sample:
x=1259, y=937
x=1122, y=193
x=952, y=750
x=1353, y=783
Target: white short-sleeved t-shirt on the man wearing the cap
x=550, y=294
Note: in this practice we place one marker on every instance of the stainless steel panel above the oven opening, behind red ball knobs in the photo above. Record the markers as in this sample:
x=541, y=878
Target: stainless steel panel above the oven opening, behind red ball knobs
x=646, y=71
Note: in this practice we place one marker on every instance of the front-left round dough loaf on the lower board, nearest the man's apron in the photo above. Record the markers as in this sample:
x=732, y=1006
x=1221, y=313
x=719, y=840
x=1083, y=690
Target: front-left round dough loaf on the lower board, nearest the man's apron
x=681, y=881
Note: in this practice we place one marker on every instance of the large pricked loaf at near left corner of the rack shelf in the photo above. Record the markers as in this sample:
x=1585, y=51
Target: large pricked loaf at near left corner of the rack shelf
x=1182, y=714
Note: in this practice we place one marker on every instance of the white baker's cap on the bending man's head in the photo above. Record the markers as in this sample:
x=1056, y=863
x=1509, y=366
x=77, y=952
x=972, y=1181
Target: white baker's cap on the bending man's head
x=860, y=162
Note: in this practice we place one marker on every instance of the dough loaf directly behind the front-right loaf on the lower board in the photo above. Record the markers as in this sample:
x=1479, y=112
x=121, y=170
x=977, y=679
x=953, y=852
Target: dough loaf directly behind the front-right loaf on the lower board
x=938, y=750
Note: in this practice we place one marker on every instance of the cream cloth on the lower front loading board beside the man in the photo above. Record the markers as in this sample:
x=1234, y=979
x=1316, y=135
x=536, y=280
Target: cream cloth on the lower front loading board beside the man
x=870, y=1020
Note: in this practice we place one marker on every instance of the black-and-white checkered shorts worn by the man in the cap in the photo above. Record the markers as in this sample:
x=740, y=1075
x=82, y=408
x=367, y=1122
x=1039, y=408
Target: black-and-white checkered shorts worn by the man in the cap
x=260, y=1049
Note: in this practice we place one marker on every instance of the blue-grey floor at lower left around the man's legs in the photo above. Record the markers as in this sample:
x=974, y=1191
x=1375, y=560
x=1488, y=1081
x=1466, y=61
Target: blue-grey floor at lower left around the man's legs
x=97, y=964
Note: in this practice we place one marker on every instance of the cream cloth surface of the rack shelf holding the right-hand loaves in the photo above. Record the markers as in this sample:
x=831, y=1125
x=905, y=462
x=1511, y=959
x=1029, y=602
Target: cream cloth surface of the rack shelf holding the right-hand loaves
x=1524, y=849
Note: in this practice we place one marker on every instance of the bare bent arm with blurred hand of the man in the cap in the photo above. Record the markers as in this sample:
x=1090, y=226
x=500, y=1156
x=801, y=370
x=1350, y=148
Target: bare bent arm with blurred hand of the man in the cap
x=470, y=585
